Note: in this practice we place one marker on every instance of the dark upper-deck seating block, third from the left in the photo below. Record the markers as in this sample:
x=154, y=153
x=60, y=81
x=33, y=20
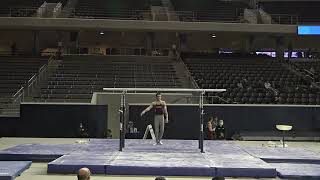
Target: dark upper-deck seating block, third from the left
x=224, y=11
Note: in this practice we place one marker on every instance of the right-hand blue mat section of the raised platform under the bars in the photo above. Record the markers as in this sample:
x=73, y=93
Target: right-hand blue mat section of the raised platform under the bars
x=231, y=161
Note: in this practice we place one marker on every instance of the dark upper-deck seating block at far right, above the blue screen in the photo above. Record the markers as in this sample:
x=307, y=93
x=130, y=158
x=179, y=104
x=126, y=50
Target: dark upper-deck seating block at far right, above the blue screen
x=307, y=11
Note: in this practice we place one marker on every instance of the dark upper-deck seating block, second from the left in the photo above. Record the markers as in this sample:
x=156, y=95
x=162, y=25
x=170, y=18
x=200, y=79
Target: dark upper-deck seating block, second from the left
x=111, y=9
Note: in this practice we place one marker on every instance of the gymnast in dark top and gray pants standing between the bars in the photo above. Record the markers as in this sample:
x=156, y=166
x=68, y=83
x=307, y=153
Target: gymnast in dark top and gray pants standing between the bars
x=160, y=117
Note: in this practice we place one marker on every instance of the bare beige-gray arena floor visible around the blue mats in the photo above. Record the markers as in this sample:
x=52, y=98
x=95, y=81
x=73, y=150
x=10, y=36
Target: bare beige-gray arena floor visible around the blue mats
x=38, y=171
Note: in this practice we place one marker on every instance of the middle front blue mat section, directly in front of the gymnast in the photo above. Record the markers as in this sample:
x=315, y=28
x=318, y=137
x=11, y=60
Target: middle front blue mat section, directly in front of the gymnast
x=165, y=164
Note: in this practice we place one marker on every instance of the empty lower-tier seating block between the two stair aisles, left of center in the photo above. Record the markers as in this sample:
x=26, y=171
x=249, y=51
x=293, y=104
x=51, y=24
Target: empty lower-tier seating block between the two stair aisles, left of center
x=76, y=80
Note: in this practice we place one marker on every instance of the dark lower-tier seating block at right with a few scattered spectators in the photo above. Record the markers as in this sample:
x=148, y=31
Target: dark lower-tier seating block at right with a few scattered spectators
x=252, y=81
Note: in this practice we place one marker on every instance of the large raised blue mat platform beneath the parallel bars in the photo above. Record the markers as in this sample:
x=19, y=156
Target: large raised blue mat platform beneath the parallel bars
x=174, y=158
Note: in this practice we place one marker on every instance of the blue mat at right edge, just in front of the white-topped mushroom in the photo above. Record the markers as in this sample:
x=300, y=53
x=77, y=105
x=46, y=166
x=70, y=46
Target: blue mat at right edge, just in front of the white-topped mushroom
x=286, y=155
